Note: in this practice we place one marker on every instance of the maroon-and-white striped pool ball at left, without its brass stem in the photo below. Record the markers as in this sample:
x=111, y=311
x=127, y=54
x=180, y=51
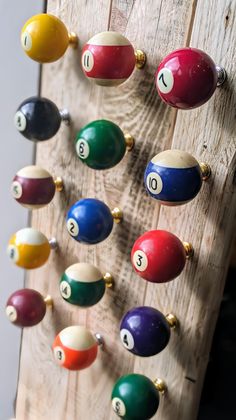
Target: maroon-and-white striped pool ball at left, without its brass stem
x=33, y=187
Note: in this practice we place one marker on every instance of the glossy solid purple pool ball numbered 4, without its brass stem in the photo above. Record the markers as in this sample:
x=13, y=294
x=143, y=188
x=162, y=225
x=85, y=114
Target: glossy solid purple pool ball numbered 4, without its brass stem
x=144, y=331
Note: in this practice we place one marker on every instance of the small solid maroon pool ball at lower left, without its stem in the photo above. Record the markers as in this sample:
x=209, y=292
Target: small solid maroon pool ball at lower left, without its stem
x=25, y=308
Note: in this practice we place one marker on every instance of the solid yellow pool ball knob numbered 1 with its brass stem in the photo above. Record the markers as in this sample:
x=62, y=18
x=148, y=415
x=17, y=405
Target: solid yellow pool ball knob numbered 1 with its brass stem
x=45, y=38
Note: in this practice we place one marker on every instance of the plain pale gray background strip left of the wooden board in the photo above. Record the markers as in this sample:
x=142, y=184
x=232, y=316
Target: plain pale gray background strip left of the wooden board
x=18, y=80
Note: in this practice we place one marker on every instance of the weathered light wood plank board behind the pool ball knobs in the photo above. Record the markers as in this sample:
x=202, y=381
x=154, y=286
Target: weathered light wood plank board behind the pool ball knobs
x=46, y=391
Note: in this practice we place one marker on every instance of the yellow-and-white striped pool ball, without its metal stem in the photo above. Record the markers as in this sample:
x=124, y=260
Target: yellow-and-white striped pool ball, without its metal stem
x=28, y=248
